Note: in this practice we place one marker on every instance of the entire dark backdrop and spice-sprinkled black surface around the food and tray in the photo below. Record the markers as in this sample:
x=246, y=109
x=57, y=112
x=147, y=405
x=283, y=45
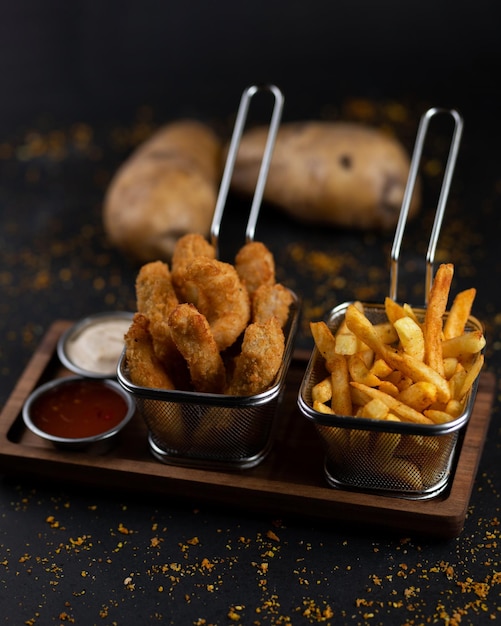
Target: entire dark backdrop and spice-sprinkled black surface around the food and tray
x=81, y=84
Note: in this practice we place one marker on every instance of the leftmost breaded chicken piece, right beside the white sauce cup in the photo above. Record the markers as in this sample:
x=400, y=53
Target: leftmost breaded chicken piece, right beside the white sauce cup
x=145, y=369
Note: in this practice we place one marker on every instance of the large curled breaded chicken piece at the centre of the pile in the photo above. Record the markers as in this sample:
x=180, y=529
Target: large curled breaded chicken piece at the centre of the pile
x=214, y=287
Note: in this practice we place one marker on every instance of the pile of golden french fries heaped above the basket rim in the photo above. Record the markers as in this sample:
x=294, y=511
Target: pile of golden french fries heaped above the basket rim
x=404, y=369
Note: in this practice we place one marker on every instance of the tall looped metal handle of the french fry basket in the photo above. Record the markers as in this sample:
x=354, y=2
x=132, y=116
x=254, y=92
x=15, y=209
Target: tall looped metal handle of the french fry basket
x=409, y=190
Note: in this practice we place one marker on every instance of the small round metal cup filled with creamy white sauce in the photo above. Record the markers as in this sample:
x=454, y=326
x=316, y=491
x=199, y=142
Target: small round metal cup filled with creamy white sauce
x=92, y=346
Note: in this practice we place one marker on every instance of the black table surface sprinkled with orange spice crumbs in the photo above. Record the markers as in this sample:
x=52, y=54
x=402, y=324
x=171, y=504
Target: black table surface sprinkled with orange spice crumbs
x=78, y=555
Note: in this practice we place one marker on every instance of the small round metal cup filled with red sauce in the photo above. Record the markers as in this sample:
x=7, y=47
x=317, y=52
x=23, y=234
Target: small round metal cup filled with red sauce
x=75, y=412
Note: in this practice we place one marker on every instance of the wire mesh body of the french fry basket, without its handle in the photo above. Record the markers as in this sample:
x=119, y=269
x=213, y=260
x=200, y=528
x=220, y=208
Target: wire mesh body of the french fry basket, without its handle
x=395, y=458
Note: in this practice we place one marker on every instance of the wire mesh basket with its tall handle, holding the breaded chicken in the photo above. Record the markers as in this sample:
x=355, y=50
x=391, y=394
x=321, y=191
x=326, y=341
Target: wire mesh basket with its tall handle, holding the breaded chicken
x=214, y=430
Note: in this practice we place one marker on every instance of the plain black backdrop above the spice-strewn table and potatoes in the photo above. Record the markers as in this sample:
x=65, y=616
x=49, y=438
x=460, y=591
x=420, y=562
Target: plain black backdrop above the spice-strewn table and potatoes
x=101, y=60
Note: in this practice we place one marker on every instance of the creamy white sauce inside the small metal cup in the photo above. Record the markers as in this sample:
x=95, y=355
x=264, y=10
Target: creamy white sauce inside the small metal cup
x=97, y=347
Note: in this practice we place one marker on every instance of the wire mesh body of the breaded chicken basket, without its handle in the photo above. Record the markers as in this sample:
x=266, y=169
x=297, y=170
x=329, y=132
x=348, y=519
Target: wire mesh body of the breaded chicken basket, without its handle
x=198, y=429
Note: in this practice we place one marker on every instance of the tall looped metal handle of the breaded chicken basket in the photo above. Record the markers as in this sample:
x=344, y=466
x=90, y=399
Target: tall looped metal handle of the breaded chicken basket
x=232, y=155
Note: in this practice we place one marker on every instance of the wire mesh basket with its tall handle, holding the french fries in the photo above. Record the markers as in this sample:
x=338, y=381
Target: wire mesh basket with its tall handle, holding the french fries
x=392, y=458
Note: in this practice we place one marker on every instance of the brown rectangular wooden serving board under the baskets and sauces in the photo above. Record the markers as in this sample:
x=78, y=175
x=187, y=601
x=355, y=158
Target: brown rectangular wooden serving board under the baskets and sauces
x=289, y=481
